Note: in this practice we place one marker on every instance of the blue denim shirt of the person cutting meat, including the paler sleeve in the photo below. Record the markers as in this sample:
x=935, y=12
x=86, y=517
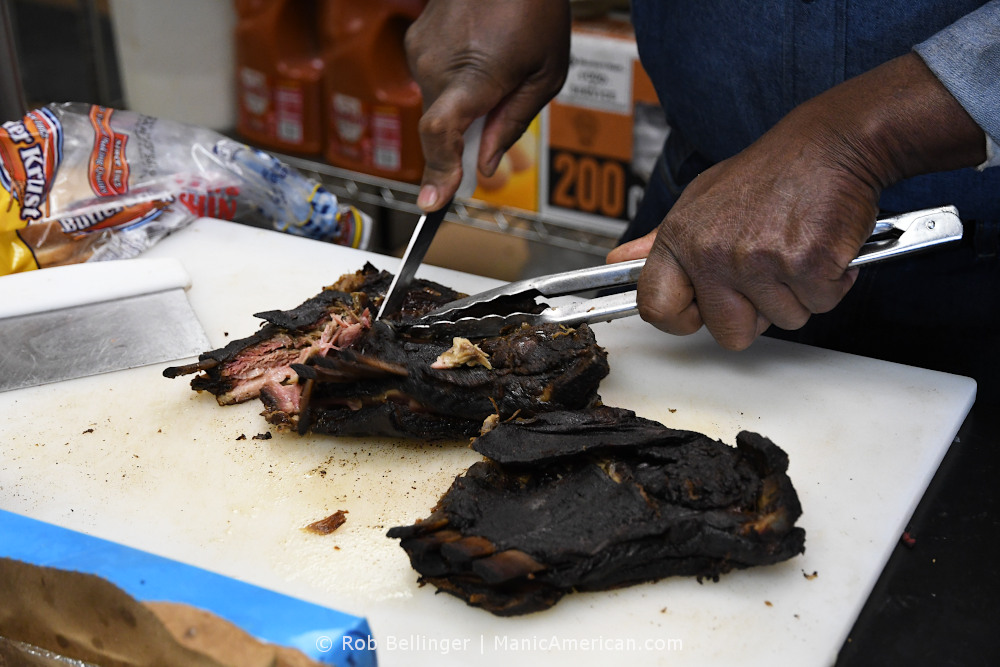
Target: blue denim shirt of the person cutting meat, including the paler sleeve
x=727, y=70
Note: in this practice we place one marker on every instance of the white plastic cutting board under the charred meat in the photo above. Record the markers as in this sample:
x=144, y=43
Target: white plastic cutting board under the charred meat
x=143, y=460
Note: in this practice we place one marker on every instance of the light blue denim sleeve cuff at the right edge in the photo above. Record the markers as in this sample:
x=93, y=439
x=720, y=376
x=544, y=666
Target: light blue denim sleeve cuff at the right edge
x=965, y=56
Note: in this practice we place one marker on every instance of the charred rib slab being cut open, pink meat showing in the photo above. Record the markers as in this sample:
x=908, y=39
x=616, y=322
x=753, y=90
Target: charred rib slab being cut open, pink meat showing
x=326, y=367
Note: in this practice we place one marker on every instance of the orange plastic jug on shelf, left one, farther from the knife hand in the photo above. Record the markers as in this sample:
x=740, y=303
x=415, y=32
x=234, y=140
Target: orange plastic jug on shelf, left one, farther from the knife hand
x=279, y=75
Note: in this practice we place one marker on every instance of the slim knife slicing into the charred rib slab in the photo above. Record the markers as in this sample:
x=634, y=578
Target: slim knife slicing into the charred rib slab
x=428, y=225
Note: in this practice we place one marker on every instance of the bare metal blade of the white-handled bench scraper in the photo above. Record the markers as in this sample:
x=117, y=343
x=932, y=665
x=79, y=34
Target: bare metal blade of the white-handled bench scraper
x=96, y=338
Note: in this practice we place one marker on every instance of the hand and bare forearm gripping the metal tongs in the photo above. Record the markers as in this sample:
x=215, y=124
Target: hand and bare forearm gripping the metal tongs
x=767, y=235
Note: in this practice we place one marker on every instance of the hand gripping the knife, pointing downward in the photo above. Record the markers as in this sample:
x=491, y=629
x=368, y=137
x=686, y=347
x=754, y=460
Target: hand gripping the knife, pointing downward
x=503, y=59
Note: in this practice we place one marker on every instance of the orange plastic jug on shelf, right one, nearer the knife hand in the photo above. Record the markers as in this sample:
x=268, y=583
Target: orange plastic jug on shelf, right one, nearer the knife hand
x=372, y=106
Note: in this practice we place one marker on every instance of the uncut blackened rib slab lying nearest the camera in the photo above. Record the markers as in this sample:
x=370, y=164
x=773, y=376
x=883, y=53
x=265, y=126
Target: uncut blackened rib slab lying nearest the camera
x=597, y=499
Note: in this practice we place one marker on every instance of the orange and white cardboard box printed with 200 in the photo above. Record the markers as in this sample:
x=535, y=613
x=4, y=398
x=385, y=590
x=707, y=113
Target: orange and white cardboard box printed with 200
x=603, y=132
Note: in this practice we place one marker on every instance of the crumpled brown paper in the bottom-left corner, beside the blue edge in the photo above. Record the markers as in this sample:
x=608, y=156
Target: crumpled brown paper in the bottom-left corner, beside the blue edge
x=84, y=617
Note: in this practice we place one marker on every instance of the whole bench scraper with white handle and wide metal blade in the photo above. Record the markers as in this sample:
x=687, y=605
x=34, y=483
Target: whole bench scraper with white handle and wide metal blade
x=68, y=322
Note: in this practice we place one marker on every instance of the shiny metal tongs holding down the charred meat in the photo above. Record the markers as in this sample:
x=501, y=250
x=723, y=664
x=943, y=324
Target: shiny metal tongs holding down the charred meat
x=470, y=316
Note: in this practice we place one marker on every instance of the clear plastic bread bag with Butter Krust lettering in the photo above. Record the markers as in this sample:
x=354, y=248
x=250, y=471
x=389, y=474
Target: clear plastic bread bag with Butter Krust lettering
x=88, y=183
